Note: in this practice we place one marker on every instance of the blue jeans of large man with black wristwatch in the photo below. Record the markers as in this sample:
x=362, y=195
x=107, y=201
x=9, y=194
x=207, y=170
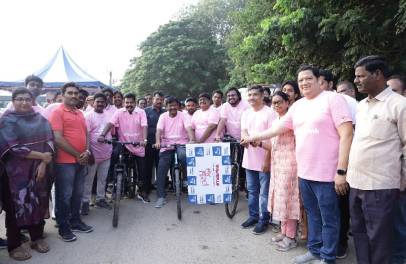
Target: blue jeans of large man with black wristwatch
x=323, y=217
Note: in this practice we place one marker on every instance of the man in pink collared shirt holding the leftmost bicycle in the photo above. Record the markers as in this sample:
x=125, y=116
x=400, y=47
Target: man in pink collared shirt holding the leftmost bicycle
x=131, y=126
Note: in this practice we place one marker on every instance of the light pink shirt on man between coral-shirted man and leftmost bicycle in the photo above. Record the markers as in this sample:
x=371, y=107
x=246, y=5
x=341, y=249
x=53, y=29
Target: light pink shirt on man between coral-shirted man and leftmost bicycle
x=95, y=123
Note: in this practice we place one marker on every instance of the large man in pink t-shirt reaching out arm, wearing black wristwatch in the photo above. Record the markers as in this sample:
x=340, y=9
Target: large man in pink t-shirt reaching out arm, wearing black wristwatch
x=323, y=131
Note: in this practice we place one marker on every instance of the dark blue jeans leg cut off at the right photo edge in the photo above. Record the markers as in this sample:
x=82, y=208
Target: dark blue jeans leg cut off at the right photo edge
x=399, y=242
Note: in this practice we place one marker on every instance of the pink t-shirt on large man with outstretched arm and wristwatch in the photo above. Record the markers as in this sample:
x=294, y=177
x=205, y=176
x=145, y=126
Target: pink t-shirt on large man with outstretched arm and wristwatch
x=315, y=122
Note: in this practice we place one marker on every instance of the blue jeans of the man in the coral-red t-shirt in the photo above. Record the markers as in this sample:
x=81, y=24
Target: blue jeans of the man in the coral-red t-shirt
x=69, y=186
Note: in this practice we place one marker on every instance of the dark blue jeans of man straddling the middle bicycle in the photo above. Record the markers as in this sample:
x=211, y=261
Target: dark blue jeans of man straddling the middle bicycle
x=166, y=159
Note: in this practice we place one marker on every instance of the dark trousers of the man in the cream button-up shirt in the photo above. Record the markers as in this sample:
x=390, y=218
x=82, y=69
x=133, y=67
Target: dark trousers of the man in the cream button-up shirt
x=372, y=219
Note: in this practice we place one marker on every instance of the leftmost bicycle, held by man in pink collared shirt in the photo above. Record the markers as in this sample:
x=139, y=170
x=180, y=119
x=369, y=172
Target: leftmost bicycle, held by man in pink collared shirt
x=124, y=180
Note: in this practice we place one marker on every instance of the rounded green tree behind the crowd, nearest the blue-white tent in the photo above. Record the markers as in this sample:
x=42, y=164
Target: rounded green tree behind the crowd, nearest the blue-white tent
x=182, y=58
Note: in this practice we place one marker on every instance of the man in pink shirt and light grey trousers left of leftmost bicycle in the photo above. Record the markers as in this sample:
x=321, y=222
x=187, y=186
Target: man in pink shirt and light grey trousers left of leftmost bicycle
x=96, y=120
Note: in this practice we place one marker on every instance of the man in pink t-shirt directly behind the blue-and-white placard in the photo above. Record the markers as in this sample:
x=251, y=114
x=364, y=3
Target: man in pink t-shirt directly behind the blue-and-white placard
x=204, y=121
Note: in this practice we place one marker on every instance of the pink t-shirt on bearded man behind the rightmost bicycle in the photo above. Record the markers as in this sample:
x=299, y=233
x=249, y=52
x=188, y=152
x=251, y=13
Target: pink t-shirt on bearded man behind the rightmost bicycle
x=232, y=114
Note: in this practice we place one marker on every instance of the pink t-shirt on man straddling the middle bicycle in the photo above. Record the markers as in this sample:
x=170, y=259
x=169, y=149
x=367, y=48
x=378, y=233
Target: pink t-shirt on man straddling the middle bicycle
x=173, y=129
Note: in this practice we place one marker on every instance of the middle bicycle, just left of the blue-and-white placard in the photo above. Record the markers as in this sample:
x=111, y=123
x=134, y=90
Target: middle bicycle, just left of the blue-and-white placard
x=177, y=174
